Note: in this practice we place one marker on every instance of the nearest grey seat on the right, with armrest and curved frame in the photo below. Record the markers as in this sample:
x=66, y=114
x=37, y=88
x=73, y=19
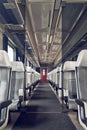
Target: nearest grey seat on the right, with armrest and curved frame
x=81, y=83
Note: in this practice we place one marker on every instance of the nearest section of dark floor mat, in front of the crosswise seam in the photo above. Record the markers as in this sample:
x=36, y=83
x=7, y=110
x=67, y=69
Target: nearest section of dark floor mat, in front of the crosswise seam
x=44, y=121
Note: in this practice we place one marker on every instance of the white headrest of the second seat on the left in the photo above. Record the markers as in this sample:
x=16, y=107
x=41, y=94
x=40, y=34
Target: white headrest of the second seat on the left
x=17, y=66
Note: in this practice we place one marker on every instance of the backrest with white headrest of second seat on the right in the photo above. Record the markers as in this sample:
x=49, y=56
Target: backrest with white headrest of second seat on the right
x=69, y=82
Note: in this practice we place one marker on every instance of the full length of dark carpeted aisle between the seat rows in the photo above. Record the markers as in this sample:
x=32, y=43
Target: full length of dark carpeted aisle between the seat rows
x=43, y=113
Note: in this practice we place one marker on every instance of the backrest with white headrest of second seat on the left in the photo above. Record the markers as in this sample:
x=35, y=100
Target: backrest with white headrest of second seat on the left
x=17, y=80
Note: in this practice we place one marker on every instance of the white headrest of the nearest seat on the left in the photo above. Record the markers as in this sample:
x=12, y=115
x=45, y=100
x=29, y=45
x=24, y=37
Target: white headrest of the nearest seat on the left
x=4, y=59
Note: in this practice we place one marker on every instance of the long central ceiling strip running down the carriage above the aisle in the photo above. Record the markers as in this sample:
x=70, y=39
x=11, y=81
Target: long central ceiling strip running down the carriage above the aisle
x=41, y=18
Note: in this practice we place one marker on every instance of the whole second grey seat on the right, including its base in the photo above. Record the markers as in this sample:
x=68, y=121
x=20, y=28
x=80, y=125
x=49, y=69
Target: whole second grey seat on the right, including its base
x=69, y=84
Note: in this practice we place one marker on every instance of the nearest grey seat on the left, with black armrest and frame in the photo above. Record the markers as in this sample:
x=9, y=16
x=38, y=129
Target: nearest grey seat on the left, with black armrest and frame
x=5, y=74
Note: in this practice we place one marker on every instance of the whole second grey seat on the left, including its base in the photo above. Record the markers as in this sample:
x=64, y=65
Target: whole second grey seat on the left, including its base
x=17, y=84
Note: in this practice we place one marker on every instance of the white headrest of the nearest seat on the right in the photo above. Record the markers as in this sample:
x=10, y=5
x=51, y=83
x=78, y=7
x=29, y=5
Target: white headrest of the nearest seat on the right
x=82, y=59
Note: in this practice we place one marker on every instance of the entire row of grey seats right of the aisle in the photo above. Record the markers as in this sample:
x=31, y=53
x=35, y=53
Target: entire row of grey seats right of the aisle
x=71, y=79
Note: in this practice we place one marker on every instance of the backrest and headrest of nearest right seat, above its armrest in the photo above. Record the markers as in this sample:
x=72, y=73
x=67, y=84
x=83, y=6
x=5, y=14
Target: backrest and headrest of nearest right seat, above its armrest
x=81, y=75
